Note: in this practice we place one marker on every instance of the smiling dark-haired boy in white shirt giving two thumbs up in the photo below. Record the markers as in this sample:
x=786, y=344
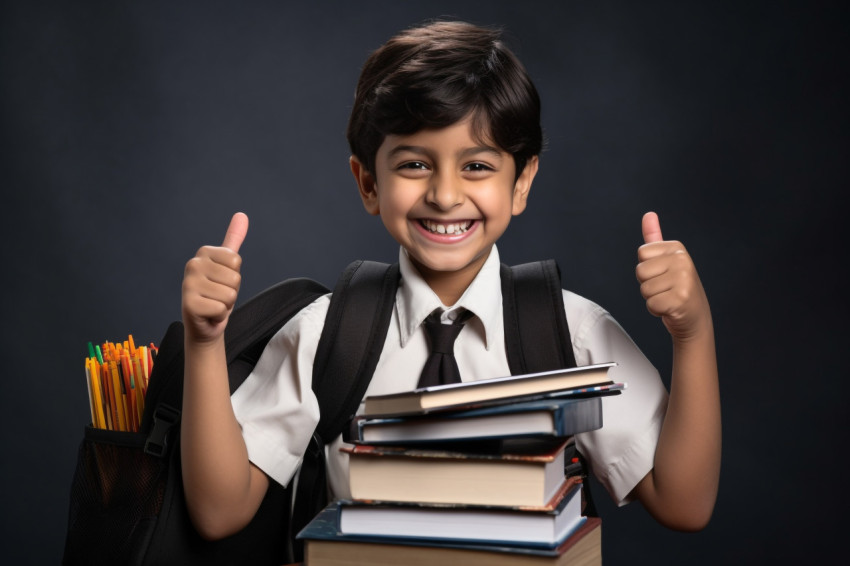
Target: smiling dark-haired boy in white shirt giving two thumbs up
x=445, y=136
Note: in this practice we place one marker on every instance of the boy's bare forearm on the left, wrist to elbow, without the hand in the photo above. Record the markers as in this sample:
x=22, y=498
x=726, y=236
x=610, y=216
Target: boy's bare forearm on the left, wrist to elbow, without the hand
x=222, y=489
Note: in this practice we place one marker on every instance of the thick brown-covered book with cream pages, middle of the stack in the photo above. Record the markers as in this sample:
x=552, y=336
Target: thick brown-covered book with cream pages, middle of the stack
x=529, y=473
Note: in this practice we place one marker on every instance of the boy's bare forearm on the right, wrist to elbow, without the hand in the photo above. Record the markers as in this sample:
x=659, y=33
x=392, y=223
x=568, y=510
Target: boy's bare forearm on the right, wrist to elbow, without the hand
x=682, y=488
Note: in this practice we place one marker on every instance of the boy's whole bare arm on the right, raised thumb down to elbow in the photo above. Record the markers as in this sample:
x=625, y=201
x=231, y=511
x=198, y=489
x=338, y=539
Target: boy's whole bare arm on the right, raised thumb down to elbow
x=681, y=489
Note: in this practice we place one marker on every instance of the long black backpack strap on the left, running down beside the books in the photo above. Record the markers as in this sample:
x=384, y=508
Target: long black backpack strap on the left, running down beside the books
x=349, y=348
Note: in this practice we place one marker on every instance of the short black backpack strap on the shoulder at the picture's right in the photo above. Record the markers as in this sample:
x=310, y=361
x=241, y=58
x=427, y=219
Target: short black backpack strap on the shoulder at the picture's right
x=537, y=337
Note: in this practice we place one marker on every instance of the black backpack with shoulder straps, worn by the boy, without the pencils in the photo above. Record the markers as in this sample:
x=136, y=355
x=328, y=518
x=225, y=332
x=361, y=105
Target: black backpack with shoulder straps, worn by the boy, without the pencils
x=127, y=504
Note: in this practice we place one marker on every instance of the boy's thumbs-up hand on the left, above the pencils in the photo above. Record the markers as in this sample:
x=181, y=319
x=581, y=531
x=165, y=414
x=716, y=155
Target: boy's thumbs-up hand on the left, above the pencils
x=211, y=284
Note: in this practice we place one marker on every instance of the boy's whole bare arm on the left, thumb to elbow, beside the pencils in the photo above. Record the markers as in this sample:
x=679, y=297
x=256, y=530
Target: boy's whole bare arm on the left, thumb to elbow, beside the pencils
x=223, y=489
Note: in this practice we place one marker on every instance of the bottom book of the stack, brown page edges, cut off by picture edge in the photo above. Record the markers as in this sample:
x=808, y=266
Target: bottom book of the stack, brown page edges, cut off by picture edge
x=582, y=548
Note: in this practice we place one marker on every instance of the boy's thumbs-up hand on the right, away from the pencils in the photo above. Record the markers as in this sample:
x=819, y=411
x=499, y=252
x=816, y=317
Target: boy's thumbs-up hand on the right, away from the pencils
x=670, y=284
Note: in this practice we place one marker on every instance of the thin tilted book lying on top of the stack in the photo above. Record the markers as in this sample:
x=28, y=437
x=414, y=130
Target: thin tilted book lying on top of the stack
x=585, y=380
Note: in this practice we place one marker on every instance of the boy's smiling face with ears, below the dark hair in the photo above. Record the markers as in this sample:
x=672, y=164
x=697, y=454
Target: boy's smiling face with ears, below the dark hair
x=445, y=197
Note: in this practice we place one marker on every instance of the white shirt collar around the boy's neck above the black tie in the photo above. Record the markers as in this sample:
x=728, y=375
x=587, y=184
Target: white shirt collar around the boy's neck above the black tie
x=415, y=300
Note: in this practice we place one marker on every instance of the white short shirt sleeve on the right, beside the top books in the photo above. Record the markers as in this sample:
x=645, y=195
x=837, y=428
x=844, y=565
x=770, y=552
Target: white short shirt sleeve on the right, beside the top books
x=622, y=452
